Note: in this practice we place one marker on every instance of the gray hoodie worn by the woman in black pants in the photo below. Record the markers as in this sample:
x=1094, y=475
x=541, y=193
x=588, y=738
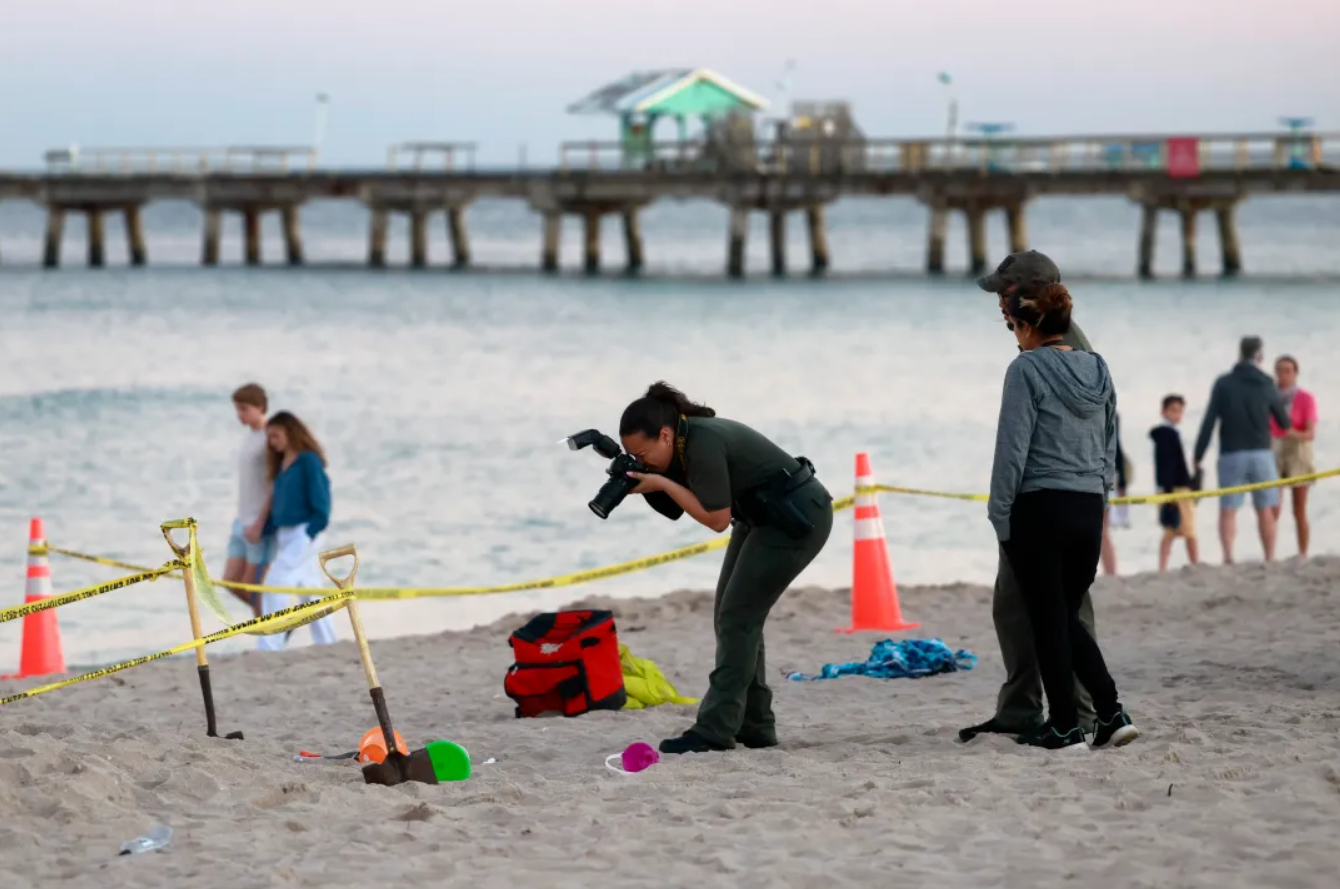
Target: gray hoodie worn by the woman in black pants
x=1058, y=430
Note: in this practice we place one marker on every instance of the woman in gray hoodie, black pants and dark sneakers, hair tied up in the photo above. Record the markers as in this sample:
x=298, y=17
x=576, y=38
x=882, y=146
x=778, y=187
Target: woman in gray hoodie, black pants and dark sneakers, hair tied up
x=1055, y=463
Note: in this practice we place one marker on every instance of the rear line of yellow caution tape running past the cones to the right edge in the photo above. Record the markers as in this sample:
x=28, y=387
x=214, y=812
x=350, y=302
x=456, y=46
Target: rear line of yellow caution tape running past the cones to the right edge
x=718, y=544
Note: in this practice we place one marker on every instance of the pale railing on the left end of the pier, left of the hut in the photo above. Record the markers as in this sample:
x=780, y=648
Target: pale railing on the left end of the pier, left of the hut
x=182, y=162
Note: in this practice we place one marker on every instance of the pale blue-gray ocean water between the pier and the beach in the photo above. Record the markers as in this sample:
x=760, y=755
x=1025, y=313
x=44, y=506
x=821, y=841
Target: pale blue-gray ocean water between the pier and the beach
x=440, y=396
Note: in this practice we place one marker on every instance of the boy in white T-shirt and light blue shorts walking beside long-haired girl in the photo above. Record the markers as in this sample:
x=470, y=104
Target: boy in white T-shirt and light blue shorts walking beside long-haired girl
x=247, y=545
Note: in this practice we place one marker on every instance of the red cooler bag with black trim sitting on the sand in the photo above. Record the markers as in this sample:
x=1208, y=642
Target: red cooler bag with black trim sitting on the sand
x=566, y=663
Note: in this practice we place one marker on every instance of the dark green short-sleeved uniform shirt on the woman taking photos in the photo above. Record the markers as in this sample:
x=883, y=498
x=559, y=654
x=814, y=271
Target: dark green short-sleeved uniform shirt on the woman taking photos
x=724, y=459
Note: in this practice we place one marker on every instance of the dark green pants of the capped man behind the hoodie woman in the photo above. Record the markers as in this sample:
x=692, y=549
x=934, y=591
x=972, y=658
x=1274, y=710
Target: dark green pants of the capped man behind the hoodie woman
x=1020, y=703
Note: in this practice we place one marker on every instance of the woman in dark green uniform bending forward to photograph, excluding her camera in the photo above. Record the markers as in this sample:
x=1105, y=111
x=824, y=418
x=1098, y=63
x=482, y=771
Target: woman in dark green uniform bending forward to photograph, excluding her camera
x=724, y=474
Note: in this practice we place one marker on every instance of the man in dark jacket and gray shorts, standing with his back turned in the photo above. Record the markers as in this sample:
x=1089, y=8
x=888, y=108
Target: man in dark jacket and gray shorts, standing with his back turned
x=1242, y=404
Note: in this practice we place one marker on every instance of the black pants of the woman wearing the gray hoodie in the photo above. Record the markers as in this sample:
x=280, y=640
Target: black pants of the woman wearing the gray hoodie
x=1057, y=540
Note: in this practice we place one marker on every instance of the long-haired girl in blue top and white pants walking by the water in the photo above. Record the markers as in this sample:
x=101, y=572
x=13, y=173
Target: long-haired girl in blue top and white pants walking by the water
x=301, y=509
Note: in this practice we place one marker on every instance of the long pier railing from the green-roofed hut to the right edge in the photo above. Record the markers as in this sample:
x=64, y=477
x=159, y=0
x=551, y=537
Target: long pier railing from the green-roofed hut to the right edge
x=1075, y=155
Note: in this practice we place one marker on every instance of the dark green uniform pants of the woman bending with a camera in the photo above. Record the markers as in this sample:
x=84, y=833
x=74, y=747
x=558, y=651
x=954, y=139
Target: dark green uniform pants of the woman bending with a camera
x=759, y=568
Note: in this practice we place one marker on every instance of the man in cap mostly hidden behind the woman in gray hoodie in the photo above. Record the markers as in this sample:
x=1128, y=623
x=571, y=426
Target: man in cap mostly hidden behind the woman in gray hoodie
x=1019, y=707
